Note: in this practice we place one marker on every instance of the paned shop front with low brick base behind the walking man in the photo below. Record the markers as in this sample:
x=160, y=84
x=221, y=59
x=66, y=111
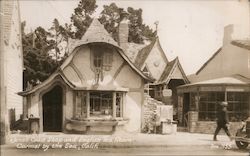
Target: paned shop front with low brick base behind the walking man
x=198, y=105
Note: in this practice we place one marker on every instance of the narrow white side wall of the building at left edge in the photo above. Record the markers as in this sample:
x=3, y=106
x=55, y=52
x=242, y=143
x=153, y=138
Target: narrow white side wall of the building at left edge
x=14, y=64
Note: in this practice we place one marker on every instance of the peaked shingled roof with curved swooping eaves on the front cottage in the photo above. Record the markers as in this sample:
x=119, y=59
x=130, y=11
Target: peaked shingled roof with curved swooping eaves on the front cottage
x=94, y=34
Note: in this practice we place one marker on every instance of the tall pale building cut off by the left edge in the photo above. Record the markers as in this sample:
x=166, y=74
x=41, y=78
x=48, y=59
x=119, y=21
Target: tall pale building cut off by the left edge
x=10, y=58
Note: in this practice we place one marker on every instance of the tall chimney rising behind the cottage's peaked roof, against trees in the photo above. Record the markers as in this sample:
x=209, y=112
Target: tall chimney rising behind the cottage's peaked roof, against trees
x=123, y=31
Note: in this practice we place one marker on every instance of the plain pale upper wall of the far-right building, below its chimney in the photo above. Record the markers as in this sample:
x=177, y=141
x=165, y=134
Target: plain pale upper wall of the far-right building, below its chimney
x=231, y=60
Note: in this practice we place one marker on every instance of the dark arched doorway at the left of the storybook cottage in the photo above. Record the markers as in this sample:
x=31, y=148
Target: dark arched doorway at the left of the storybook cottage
x=52, y=110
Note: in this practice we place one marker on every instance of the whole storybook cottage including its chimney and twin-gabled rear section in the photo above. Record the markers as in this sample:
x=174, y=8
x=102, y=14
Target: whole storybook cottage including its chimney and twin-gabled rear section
x=102, y=84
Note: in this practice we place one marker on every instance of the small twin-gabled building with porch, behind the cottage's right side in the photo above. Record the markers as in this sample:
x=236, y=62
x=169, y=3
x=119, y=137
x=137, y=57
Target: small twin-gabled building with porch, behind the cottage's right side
x=168, y=75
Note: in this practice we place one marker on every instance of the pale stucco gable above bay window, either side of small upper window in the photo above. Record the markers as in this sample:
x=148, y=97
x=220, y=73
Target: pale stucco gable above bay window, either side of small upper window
x=81, y=61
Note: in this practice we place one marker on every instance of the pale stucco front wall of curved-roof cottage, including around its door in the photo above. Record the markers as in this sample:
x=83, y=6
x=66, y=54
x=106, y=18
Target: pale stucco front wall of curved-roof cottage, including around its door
x=80, y=73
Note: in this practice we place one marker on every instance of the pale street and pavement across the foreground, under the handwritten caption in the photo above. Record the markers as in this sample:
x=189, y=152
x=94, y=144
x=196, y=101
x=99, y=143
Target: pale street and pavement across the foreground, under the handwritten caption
x=181, y=143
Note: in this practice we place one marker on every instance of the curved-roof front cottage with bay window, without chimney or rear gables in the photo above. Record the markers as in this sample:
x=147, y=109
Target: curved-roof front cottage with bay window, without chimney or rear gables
x=96, y=89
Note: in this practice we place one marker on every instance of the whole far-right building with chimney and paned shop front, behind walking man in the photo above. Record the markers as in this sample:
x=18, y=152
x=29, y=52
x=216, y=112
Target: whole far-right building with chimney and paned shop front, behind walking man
x=224, y=77
